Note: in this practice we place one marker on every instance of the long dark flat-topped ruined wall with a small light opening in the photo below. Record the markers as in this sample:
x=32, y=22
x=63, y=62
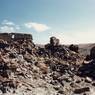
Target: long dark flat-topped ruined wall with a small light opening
x=15, y=36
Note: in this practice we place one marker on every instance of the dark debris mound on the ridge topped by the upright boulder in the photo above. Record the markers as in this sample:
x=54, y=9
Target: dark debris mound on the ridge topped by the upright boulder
x=54, y=49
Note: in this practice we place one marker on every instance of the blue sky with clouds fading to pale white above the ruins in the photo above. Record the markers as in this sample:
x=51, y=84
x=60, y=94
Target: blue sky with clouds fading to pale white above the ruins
x=72, y=21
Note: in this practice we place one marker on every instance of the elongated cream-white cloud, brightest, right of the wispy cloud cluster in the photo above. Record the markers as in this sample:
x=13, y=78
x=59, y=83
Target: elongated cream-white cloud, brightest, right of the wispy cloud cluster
x=37, y=26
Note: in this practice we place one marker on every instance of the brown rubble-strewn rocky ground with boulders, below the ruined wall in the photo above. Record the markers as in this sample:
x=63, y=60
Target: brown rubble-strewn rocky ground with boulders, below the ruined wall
x=27, y=69
